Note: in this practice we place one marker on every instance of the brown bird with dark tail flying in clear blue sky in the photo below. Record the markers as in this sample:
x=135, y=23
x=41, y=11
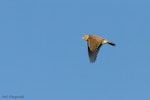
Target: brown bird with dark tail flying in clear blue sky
x=94, y=44
